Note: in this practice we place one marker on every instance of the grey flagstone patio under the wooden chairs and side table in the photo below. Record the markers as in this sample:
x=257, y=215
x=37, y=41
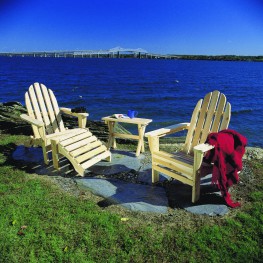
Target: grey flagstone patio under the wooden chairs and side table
x=142, y=196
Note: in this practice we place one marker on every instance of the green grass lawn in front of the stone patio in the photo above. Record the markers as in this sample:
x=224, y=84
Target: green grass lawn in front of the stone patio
x=39, y=222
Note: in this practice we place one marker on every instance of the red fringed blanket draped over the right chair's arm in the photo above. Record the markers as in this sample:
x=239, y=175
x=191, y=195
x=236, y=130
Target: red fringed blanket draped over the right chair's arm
x=227, y=158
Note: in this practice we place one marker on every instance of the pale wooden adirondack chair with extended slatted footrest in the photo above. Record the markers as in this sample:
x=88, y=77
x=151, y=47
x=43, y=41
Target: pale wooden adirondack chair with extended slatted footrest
x=79, y=145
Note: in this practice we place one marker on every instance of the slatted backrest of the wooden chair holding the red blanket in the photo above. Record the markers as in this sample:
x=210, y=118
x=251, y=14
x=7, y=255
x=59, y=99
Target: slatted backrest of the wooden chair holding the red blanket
x=211, y=114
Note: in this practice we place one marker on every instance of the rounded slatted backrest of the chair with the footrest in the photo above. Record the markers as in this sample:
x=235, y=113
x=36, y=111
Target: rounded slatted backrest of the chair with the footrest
x=42, y=105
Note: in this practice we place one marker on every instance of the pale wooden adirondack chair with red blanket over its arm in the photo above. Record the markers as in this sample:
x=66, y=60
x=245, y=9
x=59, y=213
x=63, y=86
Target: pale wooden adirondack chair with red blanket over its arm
x=211, y=114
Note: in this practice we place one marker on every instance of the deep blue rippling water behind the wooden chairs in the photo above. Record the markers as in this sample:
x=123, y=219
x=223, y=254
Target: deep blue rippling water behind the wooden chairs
x=163, y=90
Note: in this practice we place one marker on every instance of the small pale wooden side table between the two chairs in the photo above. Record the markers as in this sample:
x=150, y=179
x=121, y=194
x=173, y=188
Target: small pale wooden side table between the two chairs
x=142, y=123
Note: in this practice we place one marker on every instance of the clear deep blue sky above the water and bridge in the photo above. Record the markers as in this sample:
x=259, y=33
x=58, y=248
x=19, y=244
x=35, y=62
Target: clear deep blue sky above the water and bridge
x=206, y=27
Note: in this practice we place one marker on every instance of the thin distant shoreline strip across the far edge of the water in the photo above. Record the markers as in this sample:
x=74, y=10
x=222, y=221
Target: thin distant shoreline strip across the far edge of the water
x=134, y=56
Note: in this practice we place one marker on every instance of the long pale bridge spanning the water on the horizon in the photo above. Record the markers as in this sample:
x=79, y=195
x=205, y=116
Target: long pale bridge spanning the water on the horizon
x=117, y=52
